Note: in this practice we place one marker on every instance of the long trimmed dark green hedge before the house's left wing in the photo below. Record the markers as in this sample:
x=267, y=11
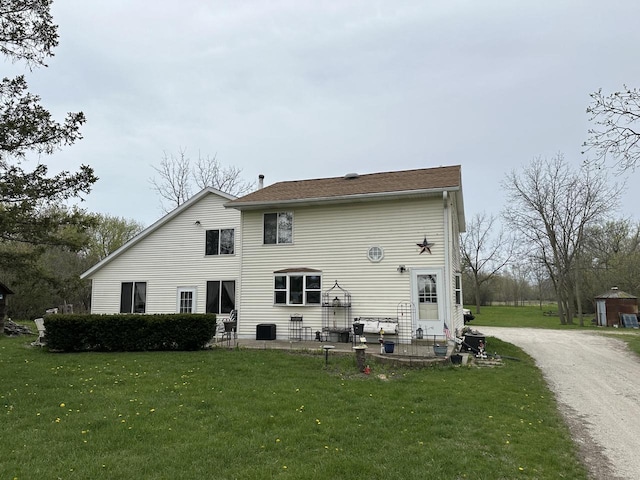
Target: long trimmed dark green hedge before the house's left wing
x=129, y=332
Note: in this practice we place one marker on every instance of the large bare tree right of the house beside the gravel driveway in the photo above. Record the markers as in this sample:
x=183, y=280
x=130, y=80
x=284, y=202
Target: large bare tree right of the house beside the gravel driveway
x=551, y=205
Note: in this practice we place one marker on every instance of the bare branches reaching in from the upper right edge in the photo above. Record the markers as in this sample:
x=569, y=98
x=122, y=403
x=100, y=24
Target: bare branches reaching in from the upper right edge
x=615, y=135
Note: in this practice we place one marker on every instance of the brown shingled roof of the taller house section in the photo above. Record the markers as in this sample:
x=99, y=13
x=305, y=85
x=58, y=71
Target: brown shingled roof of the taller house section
x=351, y=187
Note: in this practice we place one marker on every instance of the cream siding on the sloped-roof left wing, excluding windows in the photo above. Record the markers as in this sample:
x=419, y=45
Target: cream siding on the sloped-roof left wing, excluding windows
x=172, y=256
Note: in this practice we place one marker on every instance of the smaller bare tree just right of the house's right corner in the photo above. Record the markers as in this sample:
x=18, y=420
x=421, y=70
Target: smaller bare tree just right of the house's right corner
x=484, y=252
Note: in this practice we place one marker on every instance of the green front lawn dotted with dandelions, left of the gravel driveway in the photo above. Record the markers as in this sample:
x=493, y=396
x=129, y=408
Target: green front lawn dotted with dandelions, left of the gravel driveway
x=256, y=414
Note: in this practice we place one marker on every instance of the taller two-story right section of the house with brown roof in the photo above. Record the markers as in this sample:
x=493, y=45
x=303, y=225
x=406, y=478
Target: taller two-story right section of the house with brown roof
x=293, y=232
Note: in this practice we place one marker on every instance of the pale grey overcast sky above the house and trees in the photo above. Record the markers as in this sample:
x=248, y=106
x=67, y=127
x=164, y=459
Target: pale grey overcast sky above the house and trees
x=310, y=89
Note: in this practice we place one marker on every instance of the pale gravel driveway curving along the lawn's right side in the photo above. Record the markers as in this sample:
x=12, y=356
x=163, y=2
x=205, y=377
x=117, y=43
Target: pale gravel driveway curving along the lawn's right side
x=597, y=383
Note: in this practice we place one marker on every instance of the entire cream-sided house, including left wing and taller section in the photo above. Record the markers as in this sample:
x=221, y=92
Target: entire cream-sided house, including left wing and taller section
x=390, y=239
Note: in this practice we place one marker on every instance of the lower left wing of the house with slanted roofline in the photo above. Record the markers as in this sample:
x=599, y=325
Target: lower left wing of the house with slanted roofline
x=188, y=261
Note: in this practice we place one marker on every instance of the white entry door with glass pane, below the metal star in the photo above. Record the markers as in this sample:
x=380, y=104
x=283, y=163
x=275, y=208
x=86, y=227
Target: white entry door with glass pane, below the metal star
x=427, y=297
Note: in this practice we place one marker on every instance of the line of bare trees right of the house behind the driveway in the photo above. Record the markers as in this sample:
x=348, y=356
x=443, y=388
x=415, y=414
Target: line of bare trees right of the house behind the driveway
x=564, y=243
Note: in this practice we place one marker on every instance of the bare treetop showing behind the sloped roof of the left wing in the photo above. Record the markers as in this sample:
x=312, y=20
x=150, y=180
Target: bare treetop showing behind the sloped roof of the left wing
x=176, y=177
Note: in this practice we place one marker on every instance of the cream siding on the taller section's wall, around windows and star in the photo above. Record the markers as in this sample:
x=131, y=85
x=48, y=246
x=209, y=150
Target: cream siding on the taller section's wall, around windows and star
x=335, y=239
